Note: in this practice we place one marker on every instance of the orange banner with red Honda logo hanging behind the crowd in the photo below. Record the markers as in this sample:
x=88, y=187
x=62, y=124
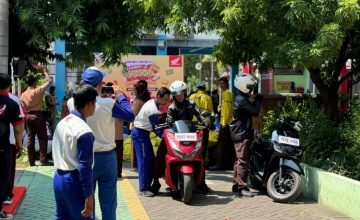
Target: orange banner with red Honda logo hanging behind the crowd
x=158, y=71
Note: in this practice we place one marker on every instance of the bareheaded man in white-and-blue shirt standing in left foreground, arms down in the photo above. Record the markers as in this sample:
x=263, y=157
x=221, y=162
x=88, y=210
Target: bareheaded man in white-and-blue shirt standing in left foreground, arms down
x=73, y=158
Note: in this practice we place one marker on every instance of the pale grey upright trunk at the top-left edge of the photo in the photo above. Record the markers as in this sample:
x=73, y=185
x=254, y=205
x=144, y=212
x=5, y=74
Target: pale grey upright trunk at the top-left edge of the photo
x=4, y=35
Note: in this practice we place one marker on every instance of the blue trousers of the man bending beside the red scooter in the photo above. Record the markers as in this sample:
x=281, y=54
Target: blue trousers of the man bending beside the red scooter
x=145, y=157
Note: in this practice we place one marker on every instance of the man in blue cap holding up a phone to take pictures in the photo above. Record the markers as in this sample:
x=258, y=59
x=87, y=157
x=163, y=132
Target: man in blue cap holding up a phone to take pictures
x=102, y=123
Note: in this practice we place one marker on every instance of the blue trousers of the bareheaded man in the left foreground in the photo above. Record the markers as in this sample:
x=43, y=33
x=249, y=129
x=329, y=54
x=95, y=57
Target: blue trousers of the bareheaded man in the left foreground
x=69, y=195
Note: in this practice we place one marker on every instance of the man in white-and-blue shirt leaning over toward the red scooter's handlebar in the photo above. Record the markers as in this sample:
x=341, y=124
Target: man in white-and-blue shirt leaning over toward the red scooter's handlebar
x=144, y=123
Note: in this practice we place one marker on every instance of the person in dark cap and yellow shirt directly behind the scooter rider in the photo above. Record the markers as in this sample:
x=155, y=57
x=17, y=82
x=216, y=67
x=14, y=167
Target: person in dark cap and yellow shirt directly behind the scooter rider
x=204, y=102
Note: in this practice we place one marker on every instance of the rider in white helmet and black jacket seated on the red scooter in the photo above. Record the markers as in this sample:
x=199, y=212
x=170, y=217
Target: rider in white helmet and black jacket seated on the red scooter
x=180, y=109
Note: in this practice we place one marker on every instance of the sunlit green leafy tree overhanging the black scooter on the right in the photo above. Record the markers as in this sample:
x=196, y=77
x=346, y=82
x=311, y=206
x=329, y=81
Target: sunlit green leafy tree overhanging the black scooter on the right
x=317, y=35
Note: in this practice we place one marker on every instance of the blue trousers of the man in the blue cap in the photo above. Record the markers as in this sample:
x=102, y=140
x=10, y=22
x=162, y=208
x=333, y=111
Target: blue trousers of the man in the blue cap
x=105, y=175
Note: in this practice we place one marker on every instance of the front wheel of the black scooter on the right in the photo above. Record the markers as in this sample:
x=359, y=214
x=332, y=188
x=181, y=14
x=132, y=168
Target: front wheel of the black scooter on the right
x=286, y=189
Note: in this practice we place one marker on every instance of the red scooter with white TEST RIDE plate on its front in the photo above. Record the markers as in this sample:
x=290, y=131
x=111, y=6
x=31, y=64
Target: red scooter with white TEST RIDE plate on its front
x=184, y=162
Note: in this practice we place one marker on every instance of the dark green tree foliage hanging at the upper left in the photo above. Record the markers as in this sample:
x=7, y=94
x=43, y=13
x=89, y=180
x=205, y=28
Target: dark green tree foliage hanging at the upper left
x=87, y=26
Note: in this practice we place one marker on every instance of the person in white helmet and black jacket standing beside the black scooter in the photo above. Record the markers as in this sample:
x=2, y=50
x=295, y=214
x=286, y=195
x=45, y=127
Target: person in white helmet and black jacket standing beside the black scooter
x=241, y=129
